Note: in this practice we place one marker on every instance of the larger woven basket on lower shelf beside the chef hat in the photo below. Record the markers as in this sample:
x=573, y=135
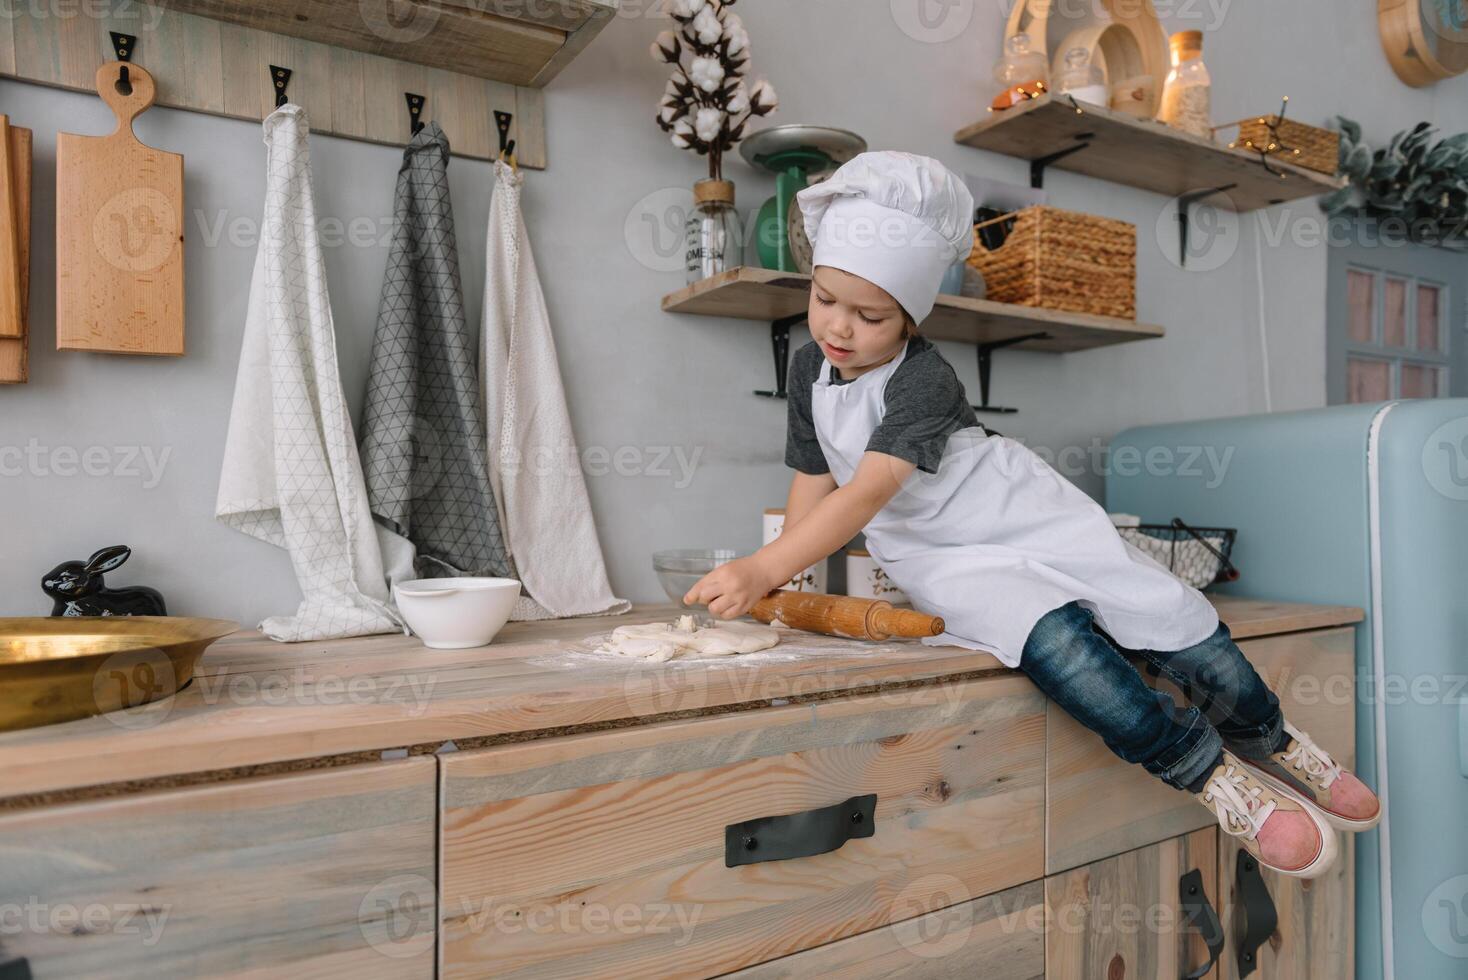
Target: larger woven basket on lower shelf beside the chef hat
x=1064, y=260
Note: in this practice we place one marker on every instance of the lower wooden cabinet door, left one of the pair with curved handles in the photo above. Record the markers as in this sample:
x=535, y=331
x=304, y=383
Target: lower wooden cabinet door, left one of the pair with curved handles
x=1124, y=916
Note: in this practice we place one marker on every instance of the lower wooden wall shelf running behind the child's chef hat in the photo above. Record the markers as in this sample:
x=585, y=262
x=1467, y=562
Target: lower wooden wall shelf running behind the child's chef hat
x=768, y=296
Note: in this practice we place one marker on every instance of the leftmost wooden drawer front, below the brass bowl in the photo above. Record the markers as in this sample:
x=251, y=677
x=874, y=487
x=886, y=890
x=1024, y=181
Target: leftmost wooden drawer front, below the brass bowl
x=321, y=875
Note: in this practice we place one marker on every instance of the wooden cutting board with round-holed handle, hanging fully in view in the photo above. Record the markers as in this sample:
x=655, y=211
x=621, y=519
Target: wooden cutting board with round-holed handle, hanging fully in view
x=120, y=233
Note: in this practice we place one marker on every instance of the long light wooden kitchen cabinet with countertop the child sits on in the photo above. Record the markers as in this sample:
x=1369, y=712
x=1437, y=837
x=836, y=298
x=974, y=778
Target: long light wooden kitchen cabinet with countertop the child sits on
x=592, y=821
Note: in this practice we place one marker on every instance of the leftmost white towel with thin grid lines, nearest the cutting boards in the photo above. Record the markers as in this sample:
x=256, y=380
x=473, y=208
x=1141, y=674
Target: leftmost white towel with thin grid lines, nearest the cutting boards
x=291, y=473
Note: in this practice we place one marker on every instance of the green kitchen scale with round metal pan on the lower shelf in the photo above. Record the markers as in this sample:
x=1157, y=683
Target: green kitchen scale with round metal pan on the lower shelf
x=798, y=156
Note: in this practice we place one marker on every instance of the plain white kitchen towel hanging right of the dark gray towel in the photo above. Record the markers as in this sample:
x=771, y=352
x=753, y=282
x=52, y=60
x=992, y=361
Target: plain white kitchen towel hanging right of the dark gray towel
x=535, y=464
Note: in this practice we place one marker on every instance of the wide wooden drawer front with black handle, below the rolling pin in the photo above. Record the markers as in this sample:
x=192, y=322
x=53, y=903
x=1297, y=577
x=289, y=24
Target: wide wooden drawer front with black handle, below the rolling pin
x=604, y=855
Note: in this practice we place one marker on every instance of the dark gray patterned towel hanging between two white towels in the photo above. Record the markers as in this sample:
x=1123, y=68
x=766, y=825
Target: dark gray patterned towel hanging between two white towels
x=424, y=435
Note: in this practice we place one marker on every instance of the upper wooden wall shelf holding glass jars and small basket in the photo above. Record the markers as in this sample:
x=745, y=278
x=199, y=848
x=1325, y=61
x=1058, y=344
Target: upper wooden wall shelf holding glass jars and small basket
x=1141, y=153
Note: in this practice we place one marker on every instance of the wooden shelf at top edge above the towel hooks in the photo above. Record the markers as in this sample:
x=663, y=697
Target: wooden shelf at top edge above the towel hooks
x=503, y=40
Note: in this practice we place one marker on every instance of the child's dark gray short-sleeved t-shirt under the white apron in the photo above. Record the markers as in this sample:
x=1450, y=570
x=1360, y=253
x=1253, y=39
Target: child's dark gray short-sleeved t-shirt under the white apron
x=924, y=398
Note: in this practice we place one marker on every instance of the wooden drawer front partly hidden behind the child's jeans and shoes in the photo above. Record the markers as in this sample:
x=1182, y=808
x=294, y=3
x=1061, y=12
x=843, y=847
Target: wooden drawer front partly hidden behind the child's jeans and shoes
x=1100, y=805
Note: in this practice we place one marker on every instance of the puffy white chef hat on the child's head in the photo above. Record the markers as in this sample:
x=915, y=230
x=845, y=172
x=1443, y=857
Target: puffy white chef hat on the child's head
x=895, y=219
